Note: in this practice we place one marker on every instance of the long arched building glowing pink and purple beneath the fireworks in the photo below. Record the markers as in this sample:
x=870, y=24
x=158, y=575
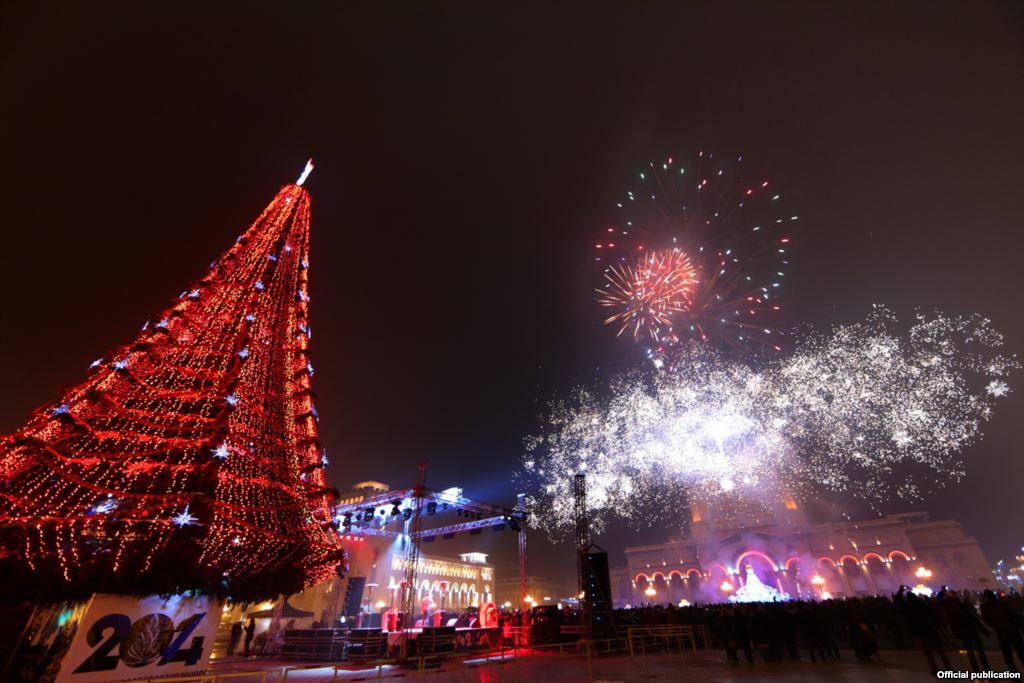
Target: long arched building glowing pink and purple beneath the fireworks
x=800, y=560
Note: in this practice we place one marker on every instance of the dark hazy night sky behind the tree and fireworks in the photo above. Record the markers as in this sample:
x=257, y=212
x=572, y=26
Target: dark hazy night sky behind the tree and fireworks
x=465, y=155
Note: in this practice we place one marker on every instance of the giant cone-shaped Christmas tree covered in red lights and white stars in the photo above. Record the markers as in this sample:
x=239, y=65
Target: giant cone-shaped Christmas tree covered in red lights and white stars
x=190, y=458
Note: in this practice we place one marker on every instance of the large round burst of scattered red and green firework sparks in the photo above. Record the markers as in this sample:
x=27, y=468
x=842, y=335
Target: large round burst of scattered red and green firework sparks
x=735, y=228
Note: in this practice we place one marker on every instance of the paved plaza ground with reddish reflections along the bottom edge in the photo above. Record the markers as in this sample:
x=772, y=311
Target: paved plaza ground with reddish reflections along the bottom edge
x=894, y=666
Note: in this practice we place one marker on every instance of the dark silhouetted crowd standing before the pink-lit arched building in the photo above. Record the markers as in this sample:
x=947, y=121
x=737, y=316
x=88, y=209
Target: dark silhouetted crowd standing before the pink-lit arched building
x=961, y=621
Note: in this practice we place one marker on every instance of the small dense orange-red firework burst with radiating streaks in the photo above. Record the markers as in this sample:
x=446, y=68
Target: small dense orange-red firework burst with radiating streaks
x=647, y=294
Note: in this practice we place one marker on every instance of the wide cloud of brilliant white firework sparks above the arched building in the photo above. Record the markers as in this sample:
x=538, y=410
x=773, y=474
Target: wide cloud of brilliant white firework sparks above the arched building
x=861, y=410
